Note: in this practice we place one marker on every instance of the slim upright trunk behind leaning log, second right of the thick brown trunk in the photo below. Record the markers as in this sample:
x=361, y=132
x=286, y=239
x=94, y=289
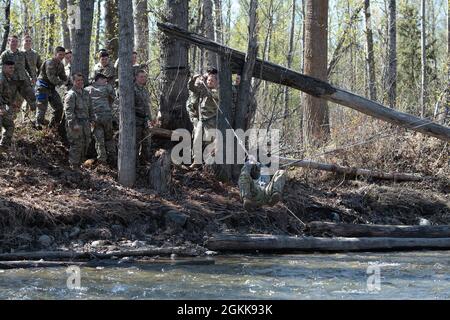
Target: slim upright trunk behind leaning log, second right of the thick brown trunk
x=392, y=71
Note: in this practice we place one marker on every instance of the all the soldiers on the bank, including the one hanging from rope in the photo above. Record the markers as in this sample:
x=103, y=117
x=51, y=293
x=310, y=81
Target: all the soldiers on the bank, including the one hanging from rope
x=89, y=112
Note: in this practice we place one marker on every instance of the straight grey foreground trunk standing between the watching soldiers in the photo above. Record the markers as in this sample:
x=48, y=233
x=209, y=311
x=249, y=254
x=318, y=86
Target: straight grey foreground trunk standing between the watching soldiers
x=127, y=123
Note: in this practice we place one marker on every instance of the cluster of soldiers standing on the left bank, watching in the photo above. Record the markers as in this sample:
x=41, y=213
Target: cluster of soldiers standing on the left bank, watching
x=81, y=113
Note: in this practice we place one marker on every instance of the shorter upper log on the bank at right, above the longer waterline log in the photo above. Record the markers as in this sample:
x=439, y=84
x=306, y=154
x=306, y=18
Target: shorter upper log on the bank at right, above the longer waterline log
x=318, y=228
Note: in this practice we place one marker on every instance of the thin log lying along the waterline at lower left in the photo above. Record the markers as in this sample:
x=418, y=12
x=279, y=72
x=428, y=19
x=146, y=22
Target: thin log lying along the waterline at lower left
x=90, y=255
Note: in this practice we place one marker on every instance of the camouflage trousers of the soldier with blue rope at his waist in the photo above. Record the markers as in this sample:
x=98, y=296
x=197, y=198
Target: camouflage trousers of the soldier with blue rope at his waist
x=43, y=97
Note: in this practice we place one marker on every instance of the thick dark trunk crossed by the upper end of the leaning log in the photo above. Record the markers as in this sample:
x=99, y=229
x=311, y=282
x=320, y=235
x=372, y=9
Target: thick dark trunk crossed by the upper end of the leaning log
x=175, y=66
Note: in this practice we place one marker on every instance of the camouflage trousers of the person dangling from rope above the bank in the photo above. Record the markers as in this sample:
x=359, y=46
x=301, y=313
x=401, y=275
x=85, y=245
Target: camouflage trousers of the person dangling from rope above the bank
x=251, y=190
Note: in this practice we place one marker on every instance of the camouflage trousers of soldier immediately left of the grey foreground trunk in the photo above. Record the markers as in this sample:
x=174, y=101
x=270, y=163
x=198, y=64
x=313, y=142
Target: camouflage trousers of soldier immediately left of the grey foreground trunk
x=105, y=145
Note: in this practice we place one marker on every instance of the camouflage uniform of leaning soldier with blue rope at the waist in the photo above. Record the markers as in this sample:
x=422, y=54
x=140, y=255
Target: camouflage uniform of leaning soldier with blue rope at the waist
x=51, y=76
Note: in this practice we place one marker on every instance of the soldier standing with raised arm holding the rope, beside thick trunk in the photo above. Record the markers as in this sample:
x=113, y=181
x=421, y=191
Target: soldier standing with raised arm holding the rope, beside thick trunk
x=202, y=109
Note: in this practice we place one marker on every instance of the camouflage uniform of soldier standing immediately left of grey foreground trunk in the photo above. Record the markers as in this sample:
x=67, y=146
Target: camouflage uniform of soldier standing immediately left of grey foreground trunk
x=102, y=97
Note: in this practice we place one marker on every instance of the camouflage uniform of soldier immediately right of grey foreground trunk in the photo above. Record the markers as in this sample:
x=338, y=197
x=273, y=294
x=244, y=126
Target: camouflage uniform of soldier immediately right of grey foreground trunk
x=143, y=114
